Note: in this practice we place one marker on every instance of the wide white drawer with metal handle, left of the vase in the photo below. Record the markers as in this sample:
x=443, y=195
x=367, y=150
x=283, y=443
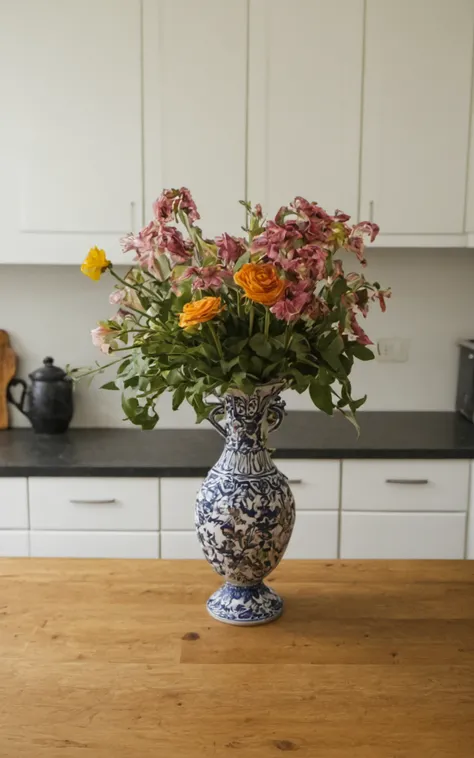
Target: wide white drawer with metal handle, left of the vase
x=91, y=503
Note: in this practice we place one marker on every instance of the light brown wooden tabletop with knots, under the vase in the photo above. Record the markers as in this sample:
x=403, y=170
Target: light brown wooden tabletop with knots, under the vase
x=110, y=659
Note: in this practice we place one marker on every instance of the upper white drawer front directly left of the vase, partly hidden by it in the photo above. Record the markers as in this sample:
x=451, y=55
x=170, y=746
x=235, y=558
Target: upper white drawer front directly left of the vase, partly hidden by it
x=177, y=497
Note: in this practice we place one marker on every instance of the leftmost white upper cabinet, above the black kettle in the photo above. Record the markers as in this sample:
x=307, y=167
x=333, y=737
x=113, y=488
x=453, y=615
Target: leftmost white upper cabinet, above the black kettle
x=73, y=174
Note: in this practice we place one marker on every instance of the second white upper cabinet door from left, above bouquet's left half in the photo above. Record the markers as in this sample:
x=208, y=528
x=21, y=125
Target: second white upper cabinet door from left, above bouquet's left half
x=195, y=105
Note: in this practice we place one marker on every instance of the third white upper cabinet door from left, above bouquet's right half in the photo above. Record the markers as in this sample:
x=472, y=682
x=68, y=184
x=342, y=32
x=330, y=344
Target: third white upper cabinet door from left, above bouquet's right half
x=305, y=74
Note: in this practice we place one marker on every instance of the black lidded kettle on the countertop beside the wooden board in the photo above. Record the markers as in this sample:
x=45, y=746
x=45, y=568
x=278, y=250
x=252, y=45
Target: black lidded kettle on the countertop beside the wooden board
x=47, y=403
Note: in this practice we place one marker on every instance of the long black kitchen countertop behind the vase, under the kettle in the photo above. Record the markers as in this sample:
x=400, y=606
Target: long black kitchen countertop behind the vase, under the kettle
x=191, y=452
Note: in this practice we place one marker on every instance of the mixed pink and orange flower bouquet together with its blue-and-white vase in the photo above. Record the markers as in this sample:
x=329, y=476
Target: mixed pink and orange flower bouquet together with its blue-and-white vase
x=227, y=324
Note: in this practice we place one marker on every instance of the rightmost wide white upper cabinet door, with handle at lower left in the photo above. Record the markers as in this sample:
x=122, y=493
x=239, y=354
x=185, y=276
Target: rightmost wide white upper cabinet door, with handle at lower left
x=416, y=115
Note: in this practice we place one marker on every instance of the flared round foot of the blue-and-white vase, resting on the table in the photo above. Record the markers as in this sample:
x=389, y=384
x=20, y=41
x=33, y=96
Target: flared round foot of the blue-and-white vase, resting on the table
x=245, y=606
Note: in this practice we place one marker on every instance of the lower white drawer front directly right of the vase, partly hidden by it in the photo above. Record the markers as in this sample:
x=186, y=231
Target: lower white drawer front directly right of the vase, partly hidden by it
x=314, y=536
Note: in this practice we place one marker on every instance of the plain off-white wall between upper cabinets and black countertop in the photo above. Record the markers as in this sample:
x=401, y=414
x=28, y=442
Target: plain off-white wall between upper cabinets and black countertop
x=49, y=311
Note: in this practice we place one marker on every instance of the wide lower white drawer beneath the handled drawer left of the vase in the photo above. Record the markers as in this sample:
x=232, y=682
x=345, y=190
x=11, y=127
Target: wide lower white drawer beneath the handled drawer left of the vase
x=77, y=544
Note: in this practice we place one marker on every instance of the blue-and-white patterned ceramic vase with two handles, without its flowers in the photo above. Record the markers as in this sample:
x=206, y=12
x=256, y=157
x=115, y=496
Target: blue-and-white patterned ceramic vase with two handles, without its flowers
x=245, y=510
